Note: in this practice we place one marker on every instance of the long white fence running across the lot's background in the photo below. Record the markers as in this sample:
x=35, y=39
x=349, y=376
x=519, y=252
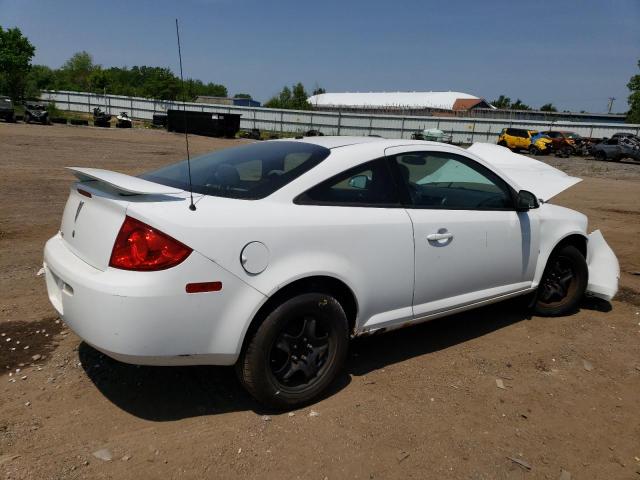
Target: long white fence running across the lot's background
x=463, y=130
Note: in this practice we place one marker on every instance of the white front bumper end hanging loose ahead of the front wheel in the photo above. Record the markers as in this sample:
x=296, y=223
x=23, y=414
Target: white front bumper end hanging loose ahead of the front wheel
x=604, y=270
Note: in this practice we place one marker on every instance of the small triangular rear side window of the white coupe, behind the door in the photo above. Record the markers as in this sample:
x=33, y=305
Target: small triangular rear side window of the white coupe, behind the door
x=370, y=184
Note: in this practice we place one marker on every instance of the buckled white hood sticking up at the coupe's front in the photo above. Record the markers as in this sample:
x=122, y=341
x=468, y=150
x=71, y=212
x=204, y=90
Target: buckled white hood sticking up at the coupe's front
x=537, y=177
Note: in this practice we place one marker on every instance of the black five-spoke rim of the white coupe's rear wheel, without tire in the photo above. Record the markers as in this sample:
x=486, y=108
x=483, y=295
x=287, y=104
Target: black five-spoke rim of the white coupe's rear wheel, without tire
x=299, y=354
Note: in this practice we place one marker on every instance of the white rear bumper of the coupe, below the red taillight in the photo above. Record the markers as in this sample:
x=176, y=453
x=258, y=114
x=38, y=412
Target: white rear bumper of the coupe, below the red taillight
x=147, y=317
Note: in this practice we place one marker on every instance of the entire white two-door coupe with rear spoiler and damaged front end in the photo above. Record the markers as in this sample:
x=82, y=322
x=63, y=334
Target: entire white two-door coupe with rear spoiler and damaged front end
x=297, y=245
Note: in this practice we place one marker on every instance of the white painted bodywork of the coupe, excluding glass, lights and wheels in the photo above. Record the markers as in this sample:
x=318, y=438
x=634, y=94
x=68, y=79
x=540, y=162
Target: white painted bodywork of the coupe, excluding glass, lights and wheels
x=400, y=264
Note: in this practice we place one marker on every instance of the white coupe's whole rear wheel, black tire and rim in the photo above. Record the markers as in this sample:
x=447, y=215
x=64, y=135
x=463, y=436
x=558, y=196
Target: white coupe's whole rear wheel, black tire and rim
x=296, y=352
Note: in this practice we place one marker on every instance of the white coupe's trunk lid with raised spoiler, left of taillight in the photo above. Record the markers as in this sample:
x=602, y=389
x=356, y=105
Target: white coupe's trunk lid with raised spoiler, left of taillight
x=96, y=209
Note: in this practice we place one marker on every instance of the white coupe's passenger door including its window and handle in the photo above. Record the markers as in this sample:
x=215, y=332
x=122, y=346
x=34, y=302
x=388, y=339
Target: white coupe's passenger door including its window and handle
x=470, y=244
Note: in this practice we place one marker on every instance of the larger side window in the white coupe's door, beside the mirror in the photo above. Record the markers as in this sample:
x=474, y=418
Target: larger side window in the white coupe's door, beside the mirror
x=449, y=181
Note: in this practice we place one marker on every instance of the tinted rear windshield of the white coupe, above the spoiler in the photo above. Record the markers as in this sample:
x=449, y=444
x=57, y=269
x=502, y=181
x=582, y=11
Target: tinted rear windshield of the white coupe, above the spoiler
x=248, y=172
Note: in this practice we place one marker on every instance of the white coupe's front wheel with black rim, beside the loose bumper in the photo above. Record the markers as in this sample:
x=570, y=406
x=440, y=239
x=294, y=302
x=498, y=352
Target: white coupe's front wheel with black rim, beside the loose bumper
x=563, y=282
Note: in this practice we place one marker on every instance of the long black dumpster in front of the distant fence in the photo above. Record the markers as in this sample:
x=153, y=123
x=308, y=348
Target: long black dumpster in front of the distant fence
x=204, y=123
